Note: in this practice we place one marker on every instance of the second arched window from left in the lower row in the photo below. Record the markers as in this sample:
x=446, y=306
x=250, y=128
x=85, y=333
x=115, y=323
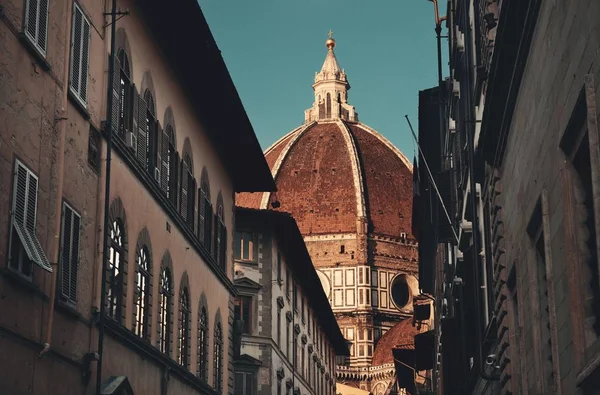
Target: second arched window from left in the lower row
x=141, y=298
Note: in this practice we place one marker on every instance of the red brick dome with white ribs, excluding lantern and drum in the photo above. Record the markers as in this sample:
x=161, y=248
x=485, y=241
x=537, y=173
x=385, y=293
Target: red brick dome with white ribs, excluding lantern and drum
x=335, y=176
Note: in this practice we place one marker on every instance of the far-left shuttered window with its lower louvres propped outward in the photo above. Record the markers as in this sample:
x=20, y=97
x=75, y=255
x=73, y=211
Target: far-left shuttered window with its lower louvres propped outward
x=24, y=246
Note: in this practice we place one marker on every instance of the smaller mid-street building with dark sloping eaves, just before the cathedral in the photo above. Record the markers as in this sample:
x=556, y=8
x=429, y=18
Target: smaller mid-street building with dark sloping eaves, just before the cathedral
x=290, y=339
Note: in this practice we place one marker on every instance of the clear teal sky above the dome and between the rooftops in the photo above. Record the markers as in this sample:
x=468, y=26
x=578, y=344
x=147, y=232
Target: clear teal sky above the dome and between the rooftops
x=272, y=49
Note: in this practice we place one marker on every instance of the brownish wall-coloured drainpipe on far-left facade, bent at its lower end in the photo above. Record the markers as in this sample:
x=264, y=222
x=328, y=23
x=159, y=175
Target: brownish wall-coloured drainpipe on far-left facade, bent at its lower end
x=62, y=131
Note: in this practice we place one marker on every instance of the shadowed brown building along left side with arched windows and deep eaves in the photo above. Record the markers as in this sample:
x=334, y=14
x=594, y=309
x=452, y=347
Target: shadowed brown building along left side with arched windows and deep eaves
x=176, y=165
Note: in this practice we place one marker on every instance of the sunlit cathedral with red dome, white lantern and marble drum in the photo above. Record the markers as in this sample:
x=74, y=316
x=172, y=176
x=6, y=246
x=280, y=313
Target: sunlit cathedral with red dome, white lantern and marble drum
x=350, y=191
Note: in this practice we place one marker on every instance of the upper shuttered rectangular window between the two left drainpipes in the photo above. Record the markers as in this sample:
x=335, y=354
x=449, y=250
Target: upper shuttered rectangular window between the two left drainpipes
x=80, y=51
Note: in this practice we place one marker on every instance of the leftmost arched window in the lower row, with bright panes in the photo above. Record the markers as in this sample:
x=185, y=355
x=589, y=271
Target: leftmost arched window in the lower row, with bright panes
x=115, y=269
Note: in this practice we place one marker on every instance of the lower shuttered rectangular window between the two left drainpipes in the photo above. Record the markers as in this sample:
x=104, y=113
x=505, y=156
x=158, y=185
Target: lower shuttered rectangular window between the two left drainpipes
x=69, y=253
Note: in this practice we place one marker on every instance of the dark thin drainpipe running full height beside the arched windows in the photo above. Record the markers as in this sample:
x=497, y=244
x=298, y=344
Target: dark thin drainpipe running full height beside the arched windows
x=108, y=131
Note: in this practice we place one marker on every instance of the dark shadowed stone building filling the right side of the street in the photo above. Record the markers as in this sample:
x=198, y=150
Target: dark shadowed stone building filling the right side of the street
x=528, y=293
